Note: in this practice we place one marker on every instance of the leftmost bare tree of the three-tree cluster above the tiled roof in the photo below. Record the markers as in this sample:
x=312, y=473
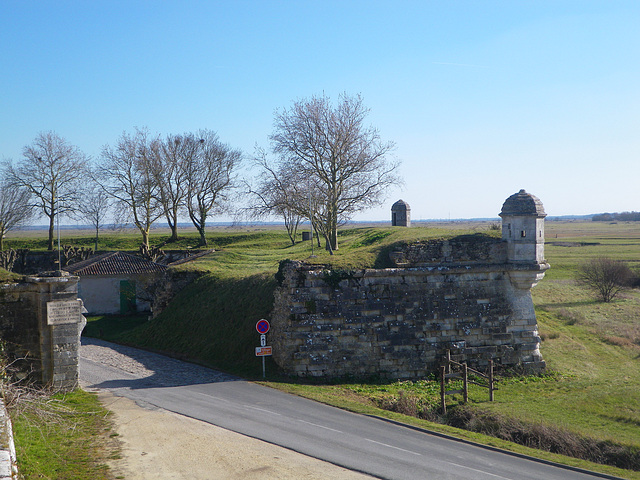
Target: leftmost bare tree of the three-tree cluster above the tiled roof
x=126, y=174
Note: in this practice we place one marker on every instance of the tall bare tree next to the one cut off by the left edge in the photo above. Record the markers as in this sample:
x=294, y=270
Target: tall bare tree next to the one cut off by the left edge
x=52, y=170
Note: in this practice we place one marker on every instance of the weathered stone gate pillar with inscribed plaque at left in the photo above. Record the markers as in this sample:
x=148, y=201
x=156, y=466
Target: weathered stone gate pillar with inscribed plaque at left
x=43, y=348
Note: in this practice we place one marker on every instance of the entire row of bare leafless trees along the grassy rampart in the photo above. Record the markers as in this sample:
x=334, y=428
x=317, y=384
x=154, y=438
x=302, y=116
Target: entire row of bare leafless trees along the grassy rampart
x=324, y=164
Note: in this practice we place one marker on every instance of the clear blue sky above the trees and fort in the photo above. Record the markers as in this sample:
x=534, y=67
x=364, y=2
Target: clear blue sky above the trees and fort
x=481, y=97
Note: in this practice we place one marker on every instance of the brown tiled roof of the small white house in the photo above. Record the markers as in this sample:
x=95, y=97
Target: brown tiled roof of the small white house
x=114, y=263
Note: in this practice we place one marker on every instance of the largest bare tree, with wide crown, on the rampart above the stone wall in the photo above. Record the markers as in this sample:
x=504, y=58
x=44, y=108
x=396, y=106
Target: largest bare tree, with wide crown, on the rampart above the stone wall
x=345, y=160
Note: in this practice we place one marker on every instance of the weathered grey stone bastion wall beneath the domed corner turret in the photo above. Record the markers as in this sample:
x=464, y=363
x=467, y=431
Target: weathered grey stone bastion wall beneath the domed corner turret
x=467, y=295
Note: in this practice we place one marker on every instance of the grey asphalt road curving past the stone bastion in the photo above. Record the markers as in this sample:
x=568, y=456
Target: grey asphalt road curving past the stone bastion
x=365, y=444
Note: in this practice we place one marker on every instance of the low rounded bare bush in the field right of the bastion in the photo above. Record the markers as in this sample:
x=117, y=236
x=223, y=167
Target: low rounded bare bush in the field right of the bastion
x=605, y=276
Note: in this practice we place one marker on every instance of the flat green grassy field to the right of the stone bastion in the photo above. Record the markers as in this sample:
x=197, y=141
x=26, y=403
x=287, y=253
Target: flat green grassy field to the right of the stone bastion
x=595, y=345
